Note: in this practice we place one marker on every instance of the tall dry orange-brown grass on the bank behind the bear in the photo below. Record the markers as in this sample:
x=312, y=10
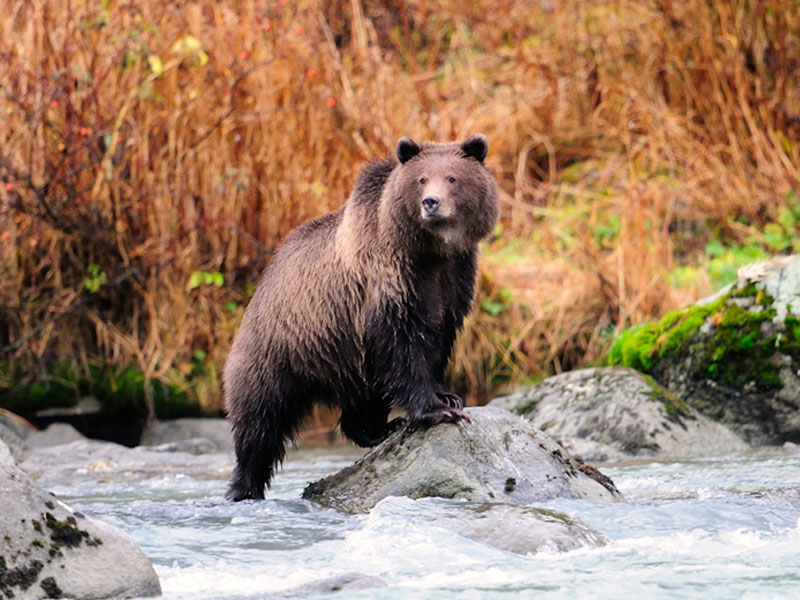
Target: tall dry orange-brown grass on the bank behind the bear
x=155, y=140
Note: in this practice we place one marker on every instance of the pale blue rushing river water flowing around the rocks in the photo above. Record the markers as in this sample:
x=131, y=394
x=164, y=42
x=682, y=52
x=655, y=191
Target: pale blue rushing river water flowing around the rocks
x=708, y=528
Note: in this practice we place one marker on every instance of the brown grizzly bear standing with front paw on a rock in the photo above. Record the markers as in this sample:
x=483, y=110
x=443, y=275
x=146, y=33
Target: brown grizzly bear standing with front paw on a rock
x=359, y=308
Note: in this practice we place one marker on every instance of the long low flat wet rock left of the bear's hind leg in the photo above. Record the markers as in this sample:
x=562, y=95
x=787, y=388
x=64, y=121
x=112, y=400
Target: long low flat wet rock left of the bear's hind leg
x=92, y=460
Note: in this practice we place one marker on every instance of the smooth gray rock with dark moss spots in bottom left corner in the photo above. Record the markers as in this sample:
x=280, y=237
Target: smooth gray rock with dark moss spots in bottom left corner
x=50, y=551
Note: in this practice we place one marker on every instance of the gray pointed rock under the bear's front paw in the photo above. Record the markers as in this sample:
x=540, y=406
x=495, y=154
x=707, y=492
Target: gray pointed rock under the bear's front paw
x=497, y=457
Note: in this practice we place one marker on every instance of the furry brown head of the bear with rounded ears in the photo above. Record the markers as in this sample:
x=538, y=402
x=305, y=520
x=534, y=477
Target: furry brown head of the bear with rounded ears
x=441, y=197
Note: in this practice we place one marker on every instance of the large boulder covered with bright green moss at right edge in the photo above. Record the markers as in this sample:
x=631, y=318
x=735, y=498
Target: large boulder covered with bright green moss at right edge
x=735, y=356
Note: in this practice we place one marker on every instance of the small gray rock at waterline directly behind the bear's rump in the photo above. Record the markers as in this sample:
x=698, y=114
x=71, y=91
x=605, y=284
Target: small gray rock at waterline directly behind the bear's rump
x=216, y=432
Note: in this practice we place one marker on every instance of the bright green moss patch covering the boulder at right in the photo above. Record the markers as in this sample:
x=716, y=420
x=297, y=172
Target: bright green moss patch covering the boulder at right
x=736, y=351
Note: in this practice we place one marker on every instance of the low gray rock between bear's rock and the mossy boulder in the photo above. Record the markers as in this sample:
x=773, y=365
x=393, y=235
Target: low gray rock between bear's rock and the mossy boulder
x=612, y=413
